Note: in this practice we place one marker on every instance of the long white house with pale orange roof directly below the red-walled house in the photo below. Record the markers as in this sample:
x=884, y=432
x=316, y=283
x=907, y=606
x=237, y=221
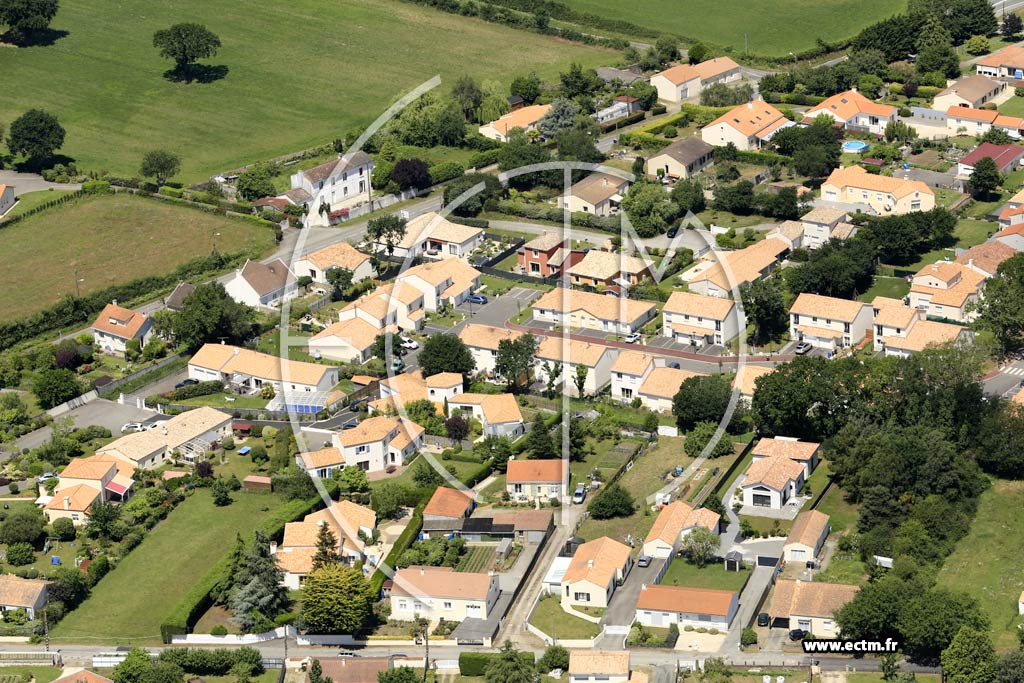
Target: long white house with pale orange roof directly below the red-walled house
x=588, y=311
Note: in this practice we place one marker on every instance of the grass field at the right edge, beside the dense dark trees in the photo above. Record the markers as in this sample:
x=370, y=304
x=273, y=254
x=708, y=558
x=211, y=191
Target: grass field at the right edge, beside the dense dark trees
x=988, y=565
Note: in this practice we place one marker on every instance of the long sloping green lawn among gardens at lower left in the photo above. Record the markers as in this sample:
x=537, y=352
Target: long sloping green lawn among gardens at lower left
x=132, y=602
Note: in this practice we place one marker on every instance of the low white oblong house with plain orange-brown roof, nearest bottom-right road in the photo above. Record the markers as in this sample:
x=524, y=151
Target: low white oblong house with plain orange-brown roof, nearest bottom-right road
x=661, y=607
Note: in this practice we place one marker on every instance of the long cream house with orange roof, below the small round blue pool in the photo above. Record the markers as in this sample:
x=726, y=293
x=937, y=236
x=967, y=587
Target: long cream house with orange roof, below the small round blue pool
x=883, y=195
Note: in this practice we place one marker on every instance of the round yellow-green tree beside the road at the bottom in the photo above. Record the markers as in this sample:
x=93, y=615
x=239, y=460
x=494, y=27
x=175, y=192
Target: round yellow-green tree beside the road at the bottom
x=335, y=600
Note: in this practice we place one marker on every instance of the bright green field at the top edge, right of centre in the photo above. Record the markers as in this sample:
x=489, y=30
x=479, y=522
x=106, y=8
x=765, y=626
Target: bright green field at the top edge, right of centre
x=791, y=25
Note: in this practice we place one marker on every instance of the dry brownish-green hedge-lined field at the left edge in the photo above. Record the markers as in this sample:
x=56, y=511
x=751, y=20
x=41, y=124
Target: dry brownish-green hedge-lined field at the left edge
x=108, y=240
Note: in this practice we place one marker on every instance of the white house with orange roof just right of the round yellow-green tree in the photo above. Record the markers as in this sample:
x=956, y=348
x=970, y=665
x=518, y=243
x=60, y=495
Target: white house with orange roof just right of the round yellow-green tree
x=437, y=593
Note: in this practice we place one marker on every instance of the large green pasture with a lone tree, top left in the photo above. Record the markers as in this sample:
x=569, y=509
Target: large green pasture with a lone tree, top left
x=345, y=64
